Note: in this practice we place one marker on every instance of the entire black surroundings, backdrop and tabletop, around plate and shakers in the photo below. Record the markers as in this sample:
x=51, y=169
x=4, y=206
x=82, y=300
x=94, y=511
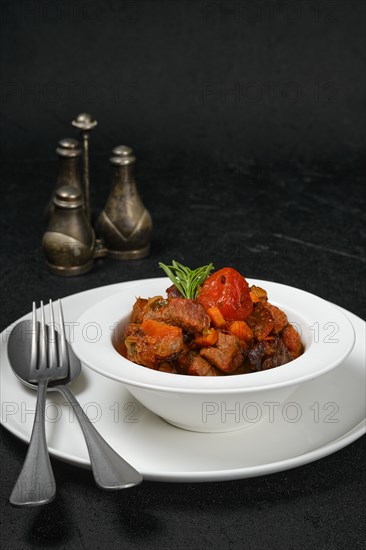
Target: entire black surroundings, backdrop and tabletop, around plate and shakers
x=248, y=123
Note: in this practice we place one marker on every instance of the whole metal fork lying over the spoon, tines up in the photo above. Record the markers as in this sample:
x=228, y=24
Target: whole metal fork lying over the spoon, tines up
x=49, y=361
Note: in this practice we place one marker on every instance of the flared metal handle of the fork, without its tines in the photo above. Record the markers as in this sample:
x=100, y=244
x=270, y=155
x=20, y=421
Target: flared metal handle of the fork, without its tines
x=36, y=483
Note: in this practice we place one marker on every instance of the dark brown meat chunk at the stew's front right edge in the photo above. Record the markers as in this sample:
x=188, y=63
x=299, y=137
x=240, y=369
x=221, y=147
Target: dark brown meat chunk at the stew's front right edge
x=267, y=354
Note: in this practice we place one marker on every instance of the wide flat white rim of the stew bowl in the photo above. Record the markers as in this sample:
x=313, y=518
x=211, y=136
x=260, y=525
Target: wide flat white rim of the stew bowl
x=102, y=357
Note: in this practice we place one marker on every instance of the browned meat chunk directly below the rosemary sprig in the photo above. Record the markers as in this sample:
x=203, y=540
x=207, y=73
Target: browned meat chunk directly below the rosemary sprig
x=181, y=312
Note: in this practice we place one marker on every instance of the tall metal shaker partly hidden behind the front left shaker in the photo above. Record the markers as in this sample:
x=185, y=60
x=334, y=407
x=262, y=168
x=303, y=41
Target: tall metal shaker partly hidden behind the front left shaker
x=69, y=153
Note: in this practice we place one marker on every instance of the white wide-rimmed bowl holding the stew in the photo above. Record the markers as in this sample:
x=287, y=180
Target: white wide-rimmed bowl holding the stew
x=216, y=403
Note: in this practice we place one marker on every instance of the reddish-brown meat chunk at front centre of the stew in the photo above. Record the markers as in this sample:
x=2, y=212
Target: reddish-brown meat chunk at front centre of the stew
x=226, y=355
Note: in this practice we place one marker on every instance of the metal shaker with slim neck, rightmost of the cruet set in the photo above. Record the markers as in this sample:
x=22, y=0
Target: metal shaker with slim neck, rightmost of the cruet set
x=125, y=224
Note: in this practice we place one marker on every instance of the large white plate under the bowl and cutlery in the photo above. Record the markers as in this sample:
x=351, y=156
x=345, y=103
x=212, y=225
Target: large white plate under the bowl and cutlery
x=322, y=417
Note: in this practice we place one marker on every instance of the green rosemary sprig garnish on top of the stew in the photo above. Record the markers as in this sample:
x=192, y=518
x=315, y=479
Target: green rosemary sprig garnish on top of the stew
x=187, y=280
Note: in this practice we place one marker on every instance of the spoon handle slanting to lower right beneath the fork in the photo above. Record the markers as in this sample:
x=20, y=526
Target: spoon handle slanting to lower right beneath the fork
x=110, y=470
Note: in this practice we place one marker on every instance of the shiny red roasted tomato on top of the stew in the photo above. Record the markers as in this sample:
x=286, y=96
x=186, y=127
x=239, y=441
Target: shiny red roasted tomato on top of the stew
x=229, y=291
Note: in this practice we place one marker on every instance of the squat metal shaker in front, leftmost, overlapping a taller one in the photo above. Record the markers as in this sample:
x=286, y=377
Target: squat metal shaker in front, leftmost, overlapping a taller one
x=69, y=240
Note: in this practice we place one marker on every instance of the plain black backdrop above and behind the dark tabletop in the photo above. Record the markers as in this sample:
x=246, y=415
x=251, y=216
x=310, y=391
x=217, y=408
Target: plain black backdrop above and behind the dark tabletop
x=265, y=81
